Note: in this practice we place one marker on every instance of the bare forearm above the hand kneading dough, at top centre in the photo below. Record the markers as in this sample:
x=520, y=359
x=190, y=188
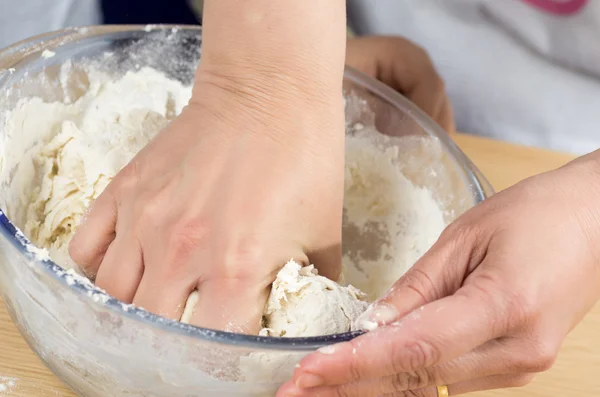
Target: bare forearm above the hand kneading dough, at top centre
x=300, y=42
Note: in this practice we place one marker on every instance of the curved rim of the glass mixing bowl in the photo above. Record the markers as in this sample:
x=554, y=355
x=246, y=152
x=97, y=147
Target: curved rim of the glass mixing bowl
x=481, y=190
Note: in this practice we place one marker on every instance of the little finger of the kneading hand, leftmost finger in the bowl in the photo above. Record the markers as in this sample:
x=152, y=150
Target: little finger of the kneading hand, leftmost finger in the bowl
x=94, y=235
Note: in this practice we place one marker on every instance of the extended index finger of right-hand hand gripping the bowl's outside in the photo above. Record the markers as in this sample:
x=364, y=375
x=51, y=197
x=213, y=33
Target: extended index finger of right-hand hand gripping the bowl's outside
x=432, y=334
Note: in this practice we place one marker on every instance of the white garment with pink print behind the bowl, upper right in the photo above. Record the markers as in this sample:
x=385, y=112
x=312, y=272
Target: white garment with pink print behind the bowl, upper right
x=527, y=71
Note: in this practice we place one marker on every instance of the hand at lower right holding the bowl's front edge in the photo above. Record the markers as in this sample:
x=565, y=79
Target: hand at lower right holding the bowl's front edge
x=487, y=307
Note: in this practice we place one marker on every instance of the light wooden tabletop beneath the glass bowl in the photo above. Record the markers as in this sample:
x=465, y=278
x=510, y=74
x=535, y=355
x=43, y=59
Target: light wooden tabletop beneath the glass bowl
x=576, y=373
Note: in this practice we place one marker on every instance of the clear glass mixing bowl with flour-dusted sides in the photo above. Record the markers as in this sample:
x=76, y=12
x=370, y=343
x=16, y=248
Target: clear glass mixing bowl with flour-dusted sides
x=101, y=347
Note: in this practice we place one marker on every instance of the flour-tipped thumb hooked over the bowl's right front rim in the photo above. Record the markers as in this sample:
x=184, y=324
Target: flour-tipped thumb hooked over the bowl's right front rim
x=437, y=274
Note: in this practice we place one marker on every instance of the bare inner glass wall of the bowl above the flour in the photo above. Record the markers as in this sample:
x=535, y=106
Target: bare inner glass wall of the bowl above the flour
x=55, y=68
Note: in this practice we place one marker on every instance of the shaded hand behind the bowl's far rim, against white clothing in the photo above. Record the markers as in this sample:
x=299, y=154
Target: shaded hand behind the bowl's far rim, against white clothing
x=405, y=67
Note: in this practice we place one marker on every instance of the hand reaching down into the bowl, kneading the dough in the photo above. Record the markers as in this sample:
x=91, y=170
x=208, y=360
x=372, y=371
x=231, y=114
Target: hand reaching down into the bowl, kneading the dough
x=247, y=177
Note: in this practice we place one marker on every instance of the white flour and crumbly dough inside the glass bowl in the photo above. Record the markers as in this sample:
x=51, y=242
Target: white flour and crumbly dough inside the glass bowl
x=62, y=155
